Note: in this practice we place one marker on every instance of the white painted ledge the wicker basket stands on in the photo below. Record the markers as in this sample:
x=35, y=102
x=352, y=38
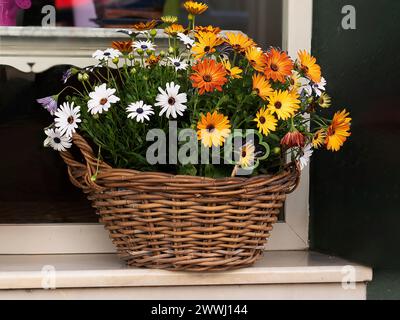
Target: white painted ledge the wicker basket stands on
x=279, y=274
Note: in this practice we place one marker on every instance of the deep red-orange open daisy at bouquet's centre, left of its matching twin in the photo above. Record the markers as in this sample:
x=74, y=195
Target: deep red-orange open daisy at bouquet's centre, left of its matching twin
x=208, y=75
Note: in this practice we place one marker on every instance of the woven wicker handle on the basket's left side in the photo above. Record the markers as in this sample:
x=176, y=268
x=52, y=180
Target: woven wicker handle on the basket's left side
x=81, y=173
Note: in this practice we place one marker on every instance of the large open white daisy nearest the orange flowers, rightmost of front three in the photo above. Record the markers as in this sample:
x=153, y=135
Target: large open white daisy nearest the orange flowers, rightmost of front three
x=171, y=101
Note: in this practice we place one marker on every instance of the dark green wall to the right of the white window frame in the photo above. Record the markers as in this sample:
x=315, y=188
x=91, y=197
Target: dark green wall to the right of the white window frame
x=355, y=194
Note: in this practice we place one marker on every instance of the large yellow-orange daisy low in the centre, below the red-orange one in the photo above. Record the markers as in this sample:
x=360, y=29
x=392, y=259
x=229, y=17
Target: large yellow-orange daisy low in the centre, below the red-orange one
x=213, y=129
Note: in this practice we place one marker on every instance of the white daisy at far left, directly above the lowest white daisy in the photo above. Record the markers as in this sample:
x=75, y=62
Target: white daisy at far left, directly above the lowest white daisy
x=67, y=118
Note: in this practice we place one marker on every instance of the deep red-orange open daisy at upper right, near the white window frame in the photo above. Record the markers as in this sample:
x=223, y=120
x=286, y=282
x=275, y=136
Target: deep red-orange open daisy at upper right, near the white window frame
x=278, y=65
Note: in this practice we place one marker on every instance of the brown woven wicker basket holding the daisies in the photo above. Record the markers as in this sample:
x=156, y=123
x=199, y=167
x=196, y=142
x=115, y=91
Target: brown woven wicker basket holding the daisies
x=176, y=222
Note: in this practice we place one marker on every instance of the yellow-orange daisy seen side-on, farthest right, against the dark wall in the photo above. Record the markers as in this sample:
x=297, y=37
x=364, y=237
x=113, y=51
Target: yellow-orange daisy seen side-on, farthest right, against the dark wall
x=338, y=131
